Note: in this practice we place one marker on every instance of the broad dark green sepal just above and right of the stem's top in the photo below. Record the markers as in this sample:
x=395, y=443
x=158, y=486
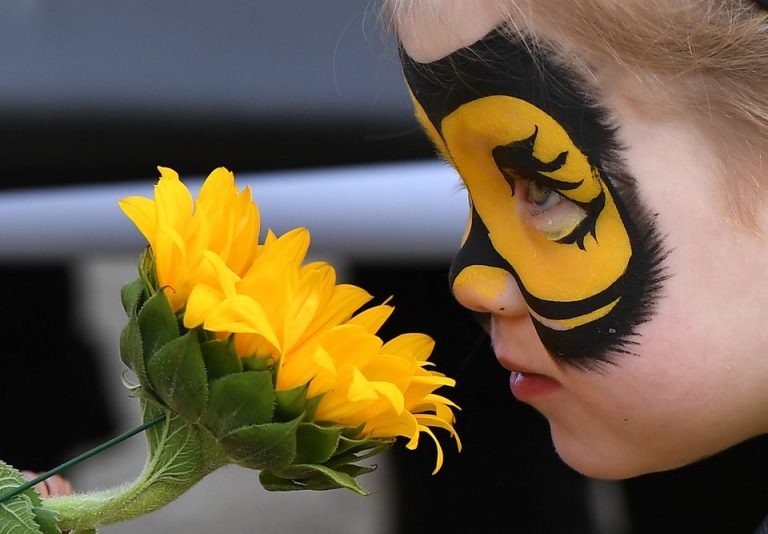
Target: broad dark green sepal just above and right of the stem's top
x=239, y=400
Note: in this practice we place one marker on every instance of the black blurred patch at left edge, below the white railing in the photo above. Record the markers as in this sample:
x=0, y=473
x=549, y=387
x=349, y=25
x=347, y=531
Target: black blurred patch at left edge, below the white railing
x=52, y=397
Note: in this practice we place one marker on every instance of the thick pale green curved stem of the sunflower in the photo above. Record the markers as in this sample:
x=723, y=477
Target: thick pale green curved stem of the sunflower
x=180, y=455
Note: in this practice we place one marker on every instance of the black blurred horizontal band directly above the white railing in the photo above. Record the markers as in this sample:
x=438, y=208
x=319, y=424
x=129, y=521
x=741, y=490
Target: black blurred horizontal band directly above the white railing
x=88, y=149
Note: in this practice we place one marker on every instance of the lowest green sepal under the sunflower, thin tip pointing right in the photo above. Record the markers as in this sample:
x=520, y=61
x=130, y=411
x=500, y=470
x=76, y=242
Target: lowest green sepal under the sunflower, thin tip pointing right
x=309, y=476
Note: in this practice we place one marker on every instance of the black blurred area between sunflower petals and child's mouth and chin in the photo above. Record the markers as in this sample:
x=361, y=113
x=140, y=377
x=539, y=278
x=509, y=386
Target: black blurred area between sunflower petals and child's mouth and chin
x=508, y=478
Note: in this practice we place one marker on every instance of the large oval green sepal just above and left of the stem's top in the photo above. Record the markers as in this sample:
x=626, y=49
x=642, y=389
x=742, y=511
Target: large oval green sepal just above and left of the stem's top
x=178, y=374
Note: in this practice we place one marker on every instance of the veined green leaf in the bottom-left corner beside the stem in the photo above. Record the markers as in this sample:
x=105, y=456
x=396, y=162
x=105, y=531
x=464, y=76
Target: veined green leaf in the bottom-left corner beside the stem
x=24, y=513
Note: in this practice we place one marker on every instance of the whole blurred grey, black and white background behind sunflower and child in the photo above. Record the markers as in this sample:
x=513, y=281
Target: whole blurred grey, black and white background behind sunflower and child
x=305, y=102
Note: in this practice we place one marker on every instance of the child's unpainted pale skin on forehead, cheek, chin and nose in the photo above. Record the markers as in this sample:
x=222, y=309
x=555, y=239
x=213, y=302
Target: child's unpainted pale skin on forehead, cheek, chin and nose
x=695, y=383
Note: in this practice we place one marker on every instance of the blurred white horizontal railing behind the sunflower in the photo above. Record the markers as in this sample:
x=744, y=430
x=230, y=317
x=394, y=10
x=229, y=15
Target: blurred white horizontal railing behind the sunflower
x=389, y=212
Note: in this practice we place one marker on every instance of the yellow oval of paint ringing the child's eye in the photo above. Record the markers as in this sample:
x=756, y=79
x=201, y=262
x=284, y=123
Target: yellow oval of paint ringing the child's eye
x=548, y=269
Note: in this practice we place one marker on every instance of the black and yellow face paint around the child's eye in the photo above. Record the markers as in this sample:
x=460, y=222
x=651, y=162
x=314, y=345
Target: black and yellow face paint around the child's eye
x=532, y=152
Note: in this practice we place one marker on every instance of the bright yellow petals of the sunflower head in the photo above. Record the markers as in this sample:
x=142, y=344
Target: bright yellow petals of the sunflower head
x=273, y=306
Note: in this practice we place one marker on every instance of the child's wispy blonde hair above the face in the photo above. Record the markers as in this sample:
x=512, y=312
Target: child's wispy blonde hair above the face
x=704, y=61
